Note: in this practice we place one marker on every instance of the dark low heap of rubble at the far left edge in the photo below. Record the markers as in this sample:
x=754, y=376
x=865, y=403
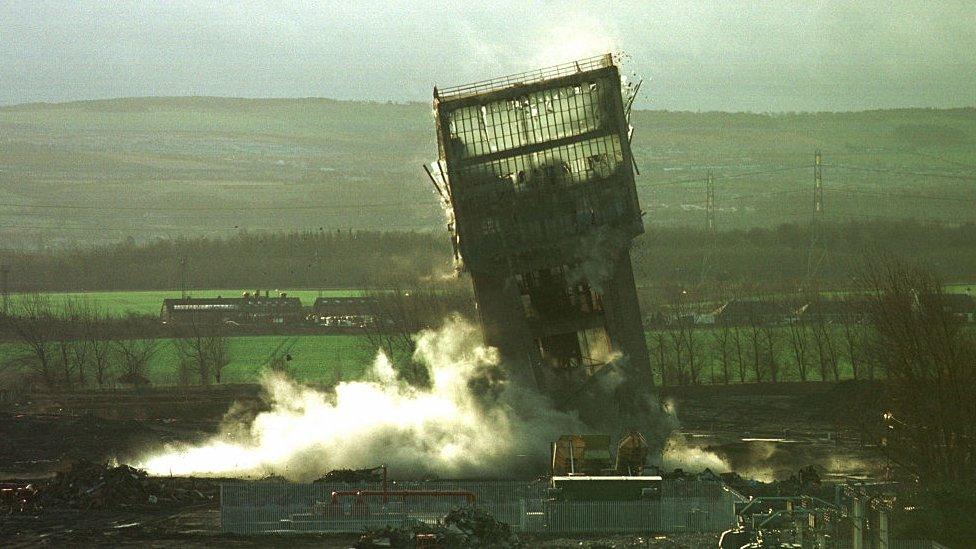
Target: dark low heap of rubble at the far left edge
x=87, y=485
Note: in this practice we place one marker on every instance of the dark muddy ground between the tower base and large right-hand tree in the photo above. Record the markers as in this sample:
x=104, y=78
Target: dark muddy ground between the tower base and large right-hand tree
x=770, y=430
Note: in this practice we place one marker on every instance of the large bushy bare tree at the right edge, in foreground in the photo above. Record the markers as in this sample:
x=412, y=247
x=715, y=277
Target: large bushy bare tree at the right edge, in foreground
x=927, y=358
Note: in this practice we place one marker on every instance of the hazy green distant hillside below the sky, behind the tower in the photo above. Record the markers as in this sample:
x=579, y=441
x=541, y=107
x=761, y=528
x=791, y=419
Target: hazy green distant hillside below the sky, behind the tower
x=145, y=168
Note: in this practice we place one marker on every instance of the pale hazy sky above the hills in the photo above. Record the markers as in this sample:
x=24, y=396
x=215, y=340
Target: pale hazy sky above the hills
x=718, y=55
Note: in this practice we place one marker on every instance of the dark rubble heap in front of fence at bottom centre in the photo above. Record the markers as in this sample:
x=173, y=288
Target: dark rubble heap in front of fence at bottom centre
x=461, y=528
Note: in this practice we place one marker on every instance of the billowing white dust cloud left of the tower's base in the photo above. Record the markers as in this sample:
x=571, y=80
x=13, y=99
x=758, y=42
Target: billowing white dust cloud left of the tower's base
x=469, y=422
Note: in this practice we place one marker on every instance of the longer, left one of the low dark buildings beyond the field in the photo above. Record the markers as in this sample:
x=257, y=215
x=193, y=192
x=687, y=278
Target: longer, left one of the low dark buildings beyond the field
x=248, y=309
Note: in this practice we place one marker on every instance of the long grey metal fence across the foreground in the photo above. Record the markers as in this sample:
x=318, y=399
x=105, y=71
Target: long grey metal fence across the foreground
x=683, y=506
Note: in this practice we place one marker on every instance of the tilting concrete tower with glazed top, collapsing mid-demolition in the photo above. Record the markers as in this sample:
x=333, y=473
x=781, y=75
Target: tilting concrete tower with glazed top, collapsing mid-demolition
x=537, y=171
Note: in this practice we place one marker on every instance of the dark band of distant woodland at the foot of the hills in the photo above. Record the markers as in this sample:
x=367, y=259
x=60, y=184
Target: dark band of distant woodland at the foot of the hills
x=754, y=259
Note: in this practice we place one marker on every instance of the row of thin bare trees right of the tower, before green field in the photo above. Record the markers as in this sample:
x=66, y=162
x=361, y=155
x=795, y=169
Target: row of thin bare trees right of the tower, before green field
x=793, y=347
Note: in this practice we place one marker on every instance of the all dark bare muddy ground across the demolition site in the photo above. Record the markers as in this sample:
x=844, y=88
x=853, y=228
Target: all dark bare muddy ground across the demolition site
x=765, y=430
